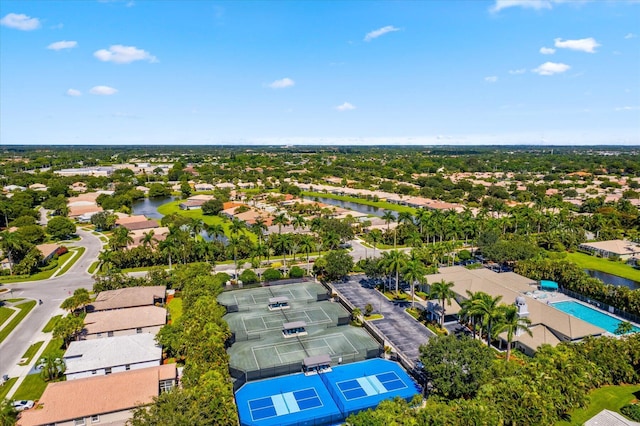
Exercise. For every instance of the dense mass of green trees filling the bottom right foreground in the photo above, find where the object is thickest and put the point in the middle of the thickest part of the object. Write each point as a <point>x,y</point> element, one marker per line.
<point>538,391</point>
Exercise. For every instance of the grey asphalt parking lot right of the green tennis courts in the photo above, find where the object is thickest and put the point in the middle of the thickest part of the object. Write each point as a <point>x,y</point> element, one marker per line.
<point>398,327</point>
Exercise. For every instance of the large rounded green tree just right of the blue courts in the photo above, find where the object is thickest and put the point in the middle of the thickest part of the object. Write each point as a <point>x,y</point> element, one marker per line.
<point>456,367</point>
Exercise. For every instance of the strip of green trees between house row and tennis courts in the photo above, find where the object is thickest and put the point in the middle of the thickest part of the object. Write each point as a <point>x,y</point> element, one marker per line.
<point>198,338</point>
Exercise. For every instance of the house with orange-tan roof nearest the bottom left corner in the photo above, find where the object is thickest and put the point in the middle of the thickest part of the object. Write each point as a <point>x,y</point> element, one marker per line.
<point>100,400</point>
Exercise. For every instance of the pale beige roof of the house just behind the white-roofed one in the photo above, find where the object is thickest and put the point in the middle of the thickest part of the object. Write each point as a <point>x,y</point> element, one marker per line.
<point>124,319</point>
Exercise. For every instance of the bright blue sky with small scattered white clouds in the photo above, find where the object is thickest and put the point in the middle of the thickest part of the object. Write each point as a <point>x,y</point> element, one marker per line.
<point>320,72</point>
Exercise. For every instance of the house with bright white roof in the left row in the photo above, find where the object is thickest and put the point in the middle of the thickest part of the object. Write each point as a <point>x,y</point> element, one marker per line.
<point>101,357</point>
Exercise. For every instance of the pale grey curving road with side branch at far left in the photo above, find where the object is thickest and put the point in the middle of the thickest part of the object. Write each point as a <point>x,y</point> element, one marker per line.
<point>52,292</point>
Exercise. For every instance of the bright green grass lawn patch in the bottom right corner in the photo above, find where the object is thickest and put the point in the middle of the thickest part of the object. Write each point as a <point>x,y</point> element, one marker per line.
<point>609,397</point>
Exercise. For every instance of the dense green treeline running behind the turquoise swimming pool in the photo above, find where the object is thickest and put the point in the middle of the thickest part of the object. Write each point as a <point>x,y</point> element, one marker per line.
<point>571,277</point>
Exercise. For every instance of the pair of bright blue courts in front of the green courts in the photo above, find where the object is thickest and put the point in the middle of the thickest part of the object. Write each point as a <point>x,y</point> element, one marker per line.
<point>326,398</point>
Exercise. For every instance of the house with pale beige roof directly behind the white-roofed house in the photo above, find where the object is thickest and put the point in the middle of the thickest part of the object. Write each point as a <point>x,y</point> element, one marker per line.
<point>124,322</point>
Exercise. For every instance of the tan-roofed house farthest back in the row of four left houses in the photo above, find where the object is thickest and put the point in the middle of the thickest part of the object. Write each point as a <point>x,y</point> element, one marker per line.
<point>128,298</point>
